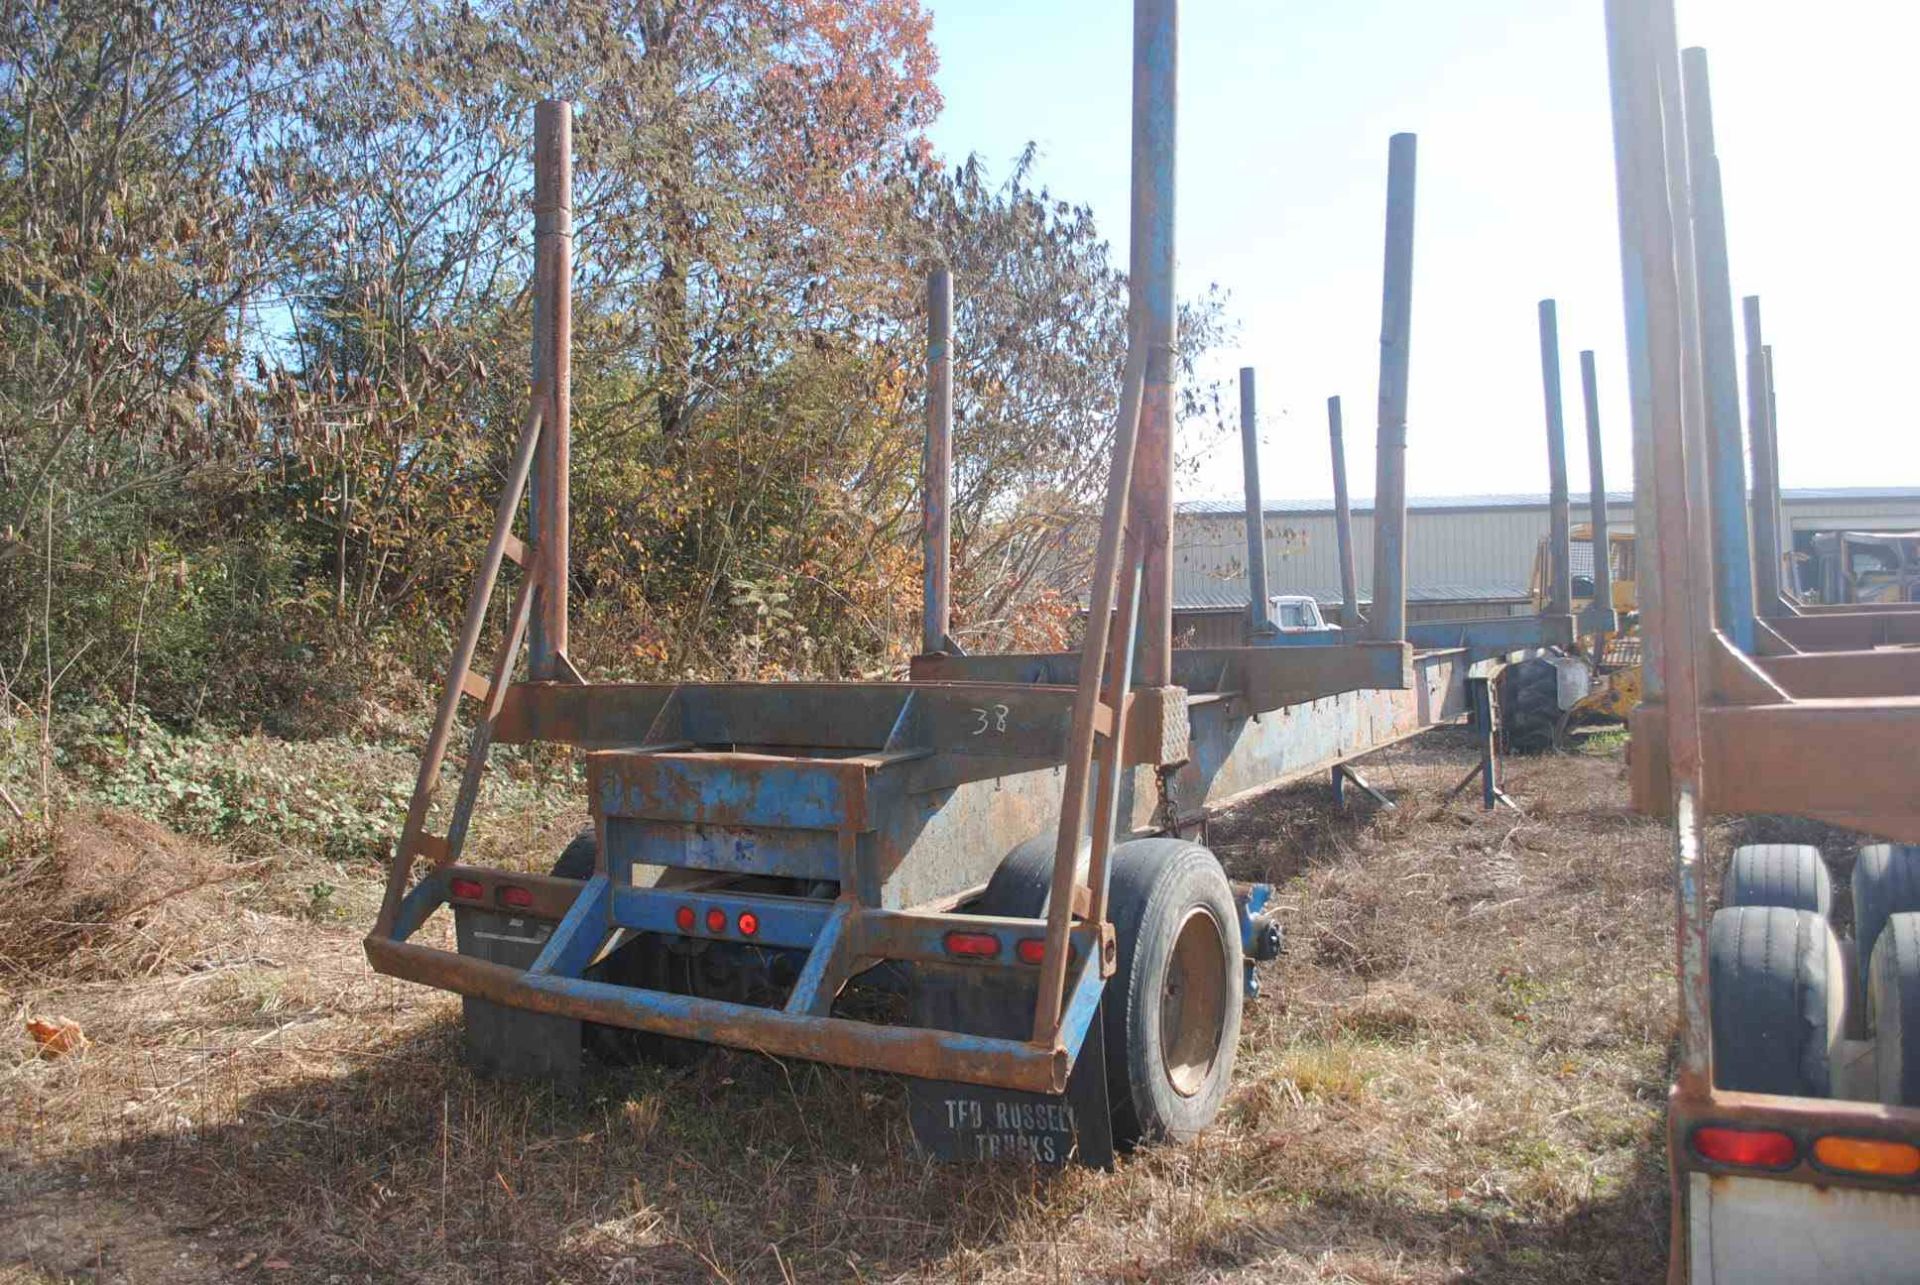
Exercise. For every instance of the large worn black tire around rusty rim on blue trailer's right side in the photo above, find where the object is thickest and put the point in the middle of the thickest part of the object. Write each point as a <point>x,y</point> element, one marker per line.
<point>1157,890</point>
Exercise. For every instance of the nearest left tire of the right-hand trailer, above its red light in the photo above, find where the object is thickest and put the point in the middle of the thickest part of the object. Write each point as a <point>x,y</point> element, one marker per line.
<point>1779,1002</point>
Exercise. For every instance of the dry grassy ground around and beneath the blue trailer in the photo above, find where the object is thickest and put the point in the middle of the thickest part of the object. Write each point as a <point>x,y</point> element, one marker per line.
<point>1454,1075</point>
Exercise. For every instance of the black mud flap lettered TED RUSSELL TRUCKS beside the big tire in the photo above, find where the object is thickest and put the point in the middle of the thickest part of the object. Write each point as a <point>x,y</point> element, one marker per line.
<point>972,1123</point>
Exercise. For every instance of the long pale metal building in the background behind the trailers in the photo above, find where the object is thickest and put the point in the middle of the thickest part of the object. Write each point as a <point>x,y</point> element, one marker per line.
<point>1468,556</point>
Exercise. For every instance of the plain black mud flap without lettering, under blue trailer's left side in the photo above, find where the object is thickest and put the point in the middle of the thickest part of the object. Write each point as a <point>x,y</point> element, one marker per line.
<point>514,1044</point>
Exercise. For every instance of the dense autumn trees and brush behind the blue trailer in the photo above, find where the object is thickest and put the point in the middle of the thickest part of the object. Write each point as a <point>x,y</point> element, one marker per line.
<point>266,324</point>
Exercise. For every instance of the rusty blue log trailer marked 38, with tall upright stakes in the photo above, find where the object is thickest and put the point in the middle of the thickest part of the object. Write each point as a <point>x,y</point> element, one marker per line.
<point>990,879</point>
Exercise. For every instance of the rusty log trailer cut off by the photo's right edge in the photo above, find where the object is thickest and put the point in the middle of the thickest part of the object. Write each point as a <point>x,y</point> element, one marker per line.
<point>1794,1115</point>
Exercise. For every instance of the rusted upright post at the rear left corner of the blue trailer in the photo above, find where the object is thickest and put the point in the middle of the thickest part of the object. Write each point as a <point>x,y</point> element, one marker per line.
<point>554,274</point>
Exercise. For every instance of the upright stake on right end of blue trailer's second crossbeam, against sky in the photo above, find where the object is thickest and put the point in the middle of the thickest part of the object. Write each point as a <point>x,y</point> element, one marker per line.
<point>1389,619</point>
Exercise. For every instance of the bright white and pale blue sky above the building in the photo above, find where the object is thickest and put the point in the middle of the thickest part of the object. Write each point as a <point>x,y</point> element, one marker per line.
<point>1284,124</point>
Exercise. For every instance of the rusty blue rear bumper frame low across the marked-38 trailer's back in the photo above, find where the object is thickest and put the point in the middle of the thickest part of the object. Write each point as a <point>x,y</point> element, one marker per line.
<point>556,986</point>
